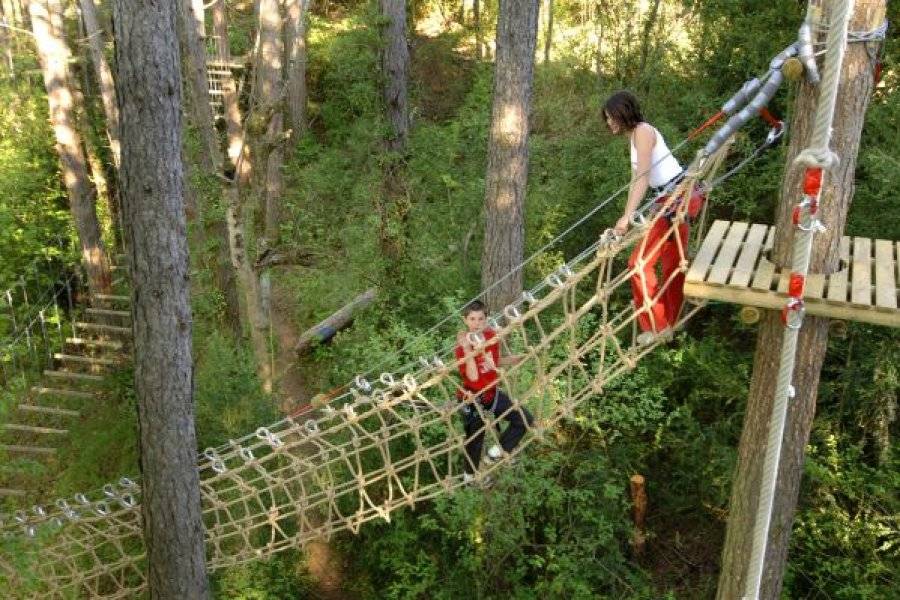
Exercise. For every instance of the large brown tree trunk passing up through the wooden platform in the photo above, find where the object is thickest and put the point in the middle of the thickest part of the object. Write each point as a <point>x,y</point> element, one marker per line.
<point>853,97</point>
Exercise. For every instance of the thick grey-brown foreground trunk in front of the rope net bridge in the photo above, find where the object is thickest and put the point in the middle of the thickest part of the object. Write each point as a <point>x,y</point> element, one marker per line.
<point>153,188</point>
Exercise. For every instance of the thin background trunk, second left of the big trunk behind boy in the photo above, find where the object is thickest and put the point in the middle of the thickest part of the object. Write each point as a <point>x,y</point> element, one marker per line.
<point>295,42</point>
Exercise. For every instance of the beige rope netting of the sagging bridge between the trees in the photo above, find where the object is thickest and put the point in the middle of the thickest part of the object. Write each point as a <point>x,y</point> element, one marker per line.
<point>390,445</point>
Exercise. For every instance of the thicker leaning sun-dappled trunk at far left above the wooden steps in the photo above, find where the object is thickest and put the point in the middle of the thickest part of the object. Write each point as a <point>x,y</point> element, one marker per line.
<point>54,57</point>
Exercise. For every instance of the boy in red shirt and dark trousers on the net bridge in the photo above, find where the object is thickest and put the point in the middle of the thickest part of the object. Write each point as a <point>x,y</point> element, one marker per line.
<point>478,368</point>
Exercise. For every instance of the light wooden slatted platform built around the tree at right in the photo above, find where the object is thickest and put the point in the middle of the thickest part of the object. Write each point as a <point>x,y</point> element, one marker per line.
<point>731,266</point>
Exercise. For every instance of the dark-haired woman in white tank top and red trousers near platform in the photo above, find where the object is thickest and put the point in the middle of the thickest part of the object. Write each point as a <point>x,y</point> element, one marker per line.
<point>653,167</point>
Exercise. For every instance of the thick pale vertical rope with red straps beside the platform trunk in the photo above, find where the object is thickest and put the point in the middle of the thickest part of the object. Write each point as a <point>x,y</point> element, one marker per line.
<point>817,156</point>
